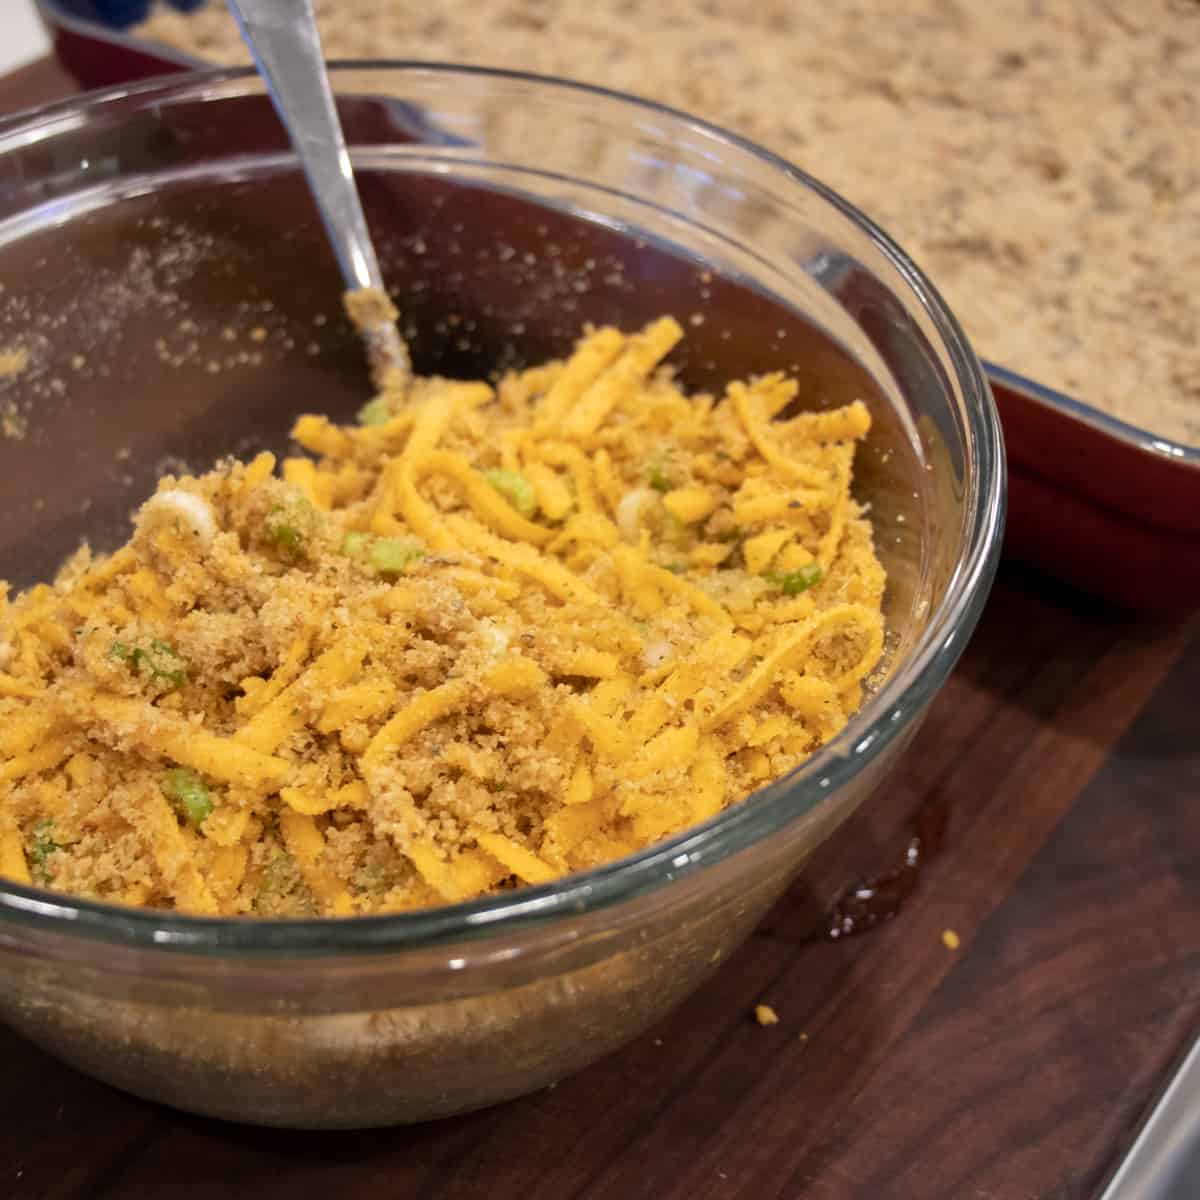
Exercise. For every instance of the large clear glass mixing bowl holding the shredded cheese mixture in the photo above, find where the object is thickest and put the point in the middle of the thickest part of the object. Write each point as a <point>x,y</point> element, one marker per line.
<point>167,278</point>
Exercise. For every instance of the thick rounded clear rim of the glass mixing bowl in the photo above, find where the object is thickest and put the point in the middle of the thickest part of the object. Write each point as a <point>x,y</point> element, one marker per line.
<point>884,718</point>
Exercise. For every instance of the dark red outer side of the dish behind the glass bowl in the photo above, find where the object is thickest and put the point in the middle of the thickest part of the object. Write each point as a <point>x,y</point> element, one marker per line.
<point>1103,506</point>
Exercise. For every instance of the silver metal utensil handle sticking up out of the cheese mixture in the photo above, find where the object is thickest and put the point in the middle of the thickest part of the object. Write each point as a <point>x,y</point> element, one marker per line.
<point>283,37</point>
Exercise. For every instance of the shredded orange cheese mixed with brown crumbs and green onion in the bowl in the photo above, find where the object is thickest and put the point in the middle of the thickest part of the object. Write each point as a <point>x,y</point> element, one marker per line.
<point>490,638</point>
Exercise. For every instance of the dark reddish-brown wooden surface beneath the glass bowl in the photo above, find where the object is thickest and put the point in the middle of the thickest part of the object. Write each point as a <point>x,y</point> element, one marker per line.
<point>1065,755</point>
